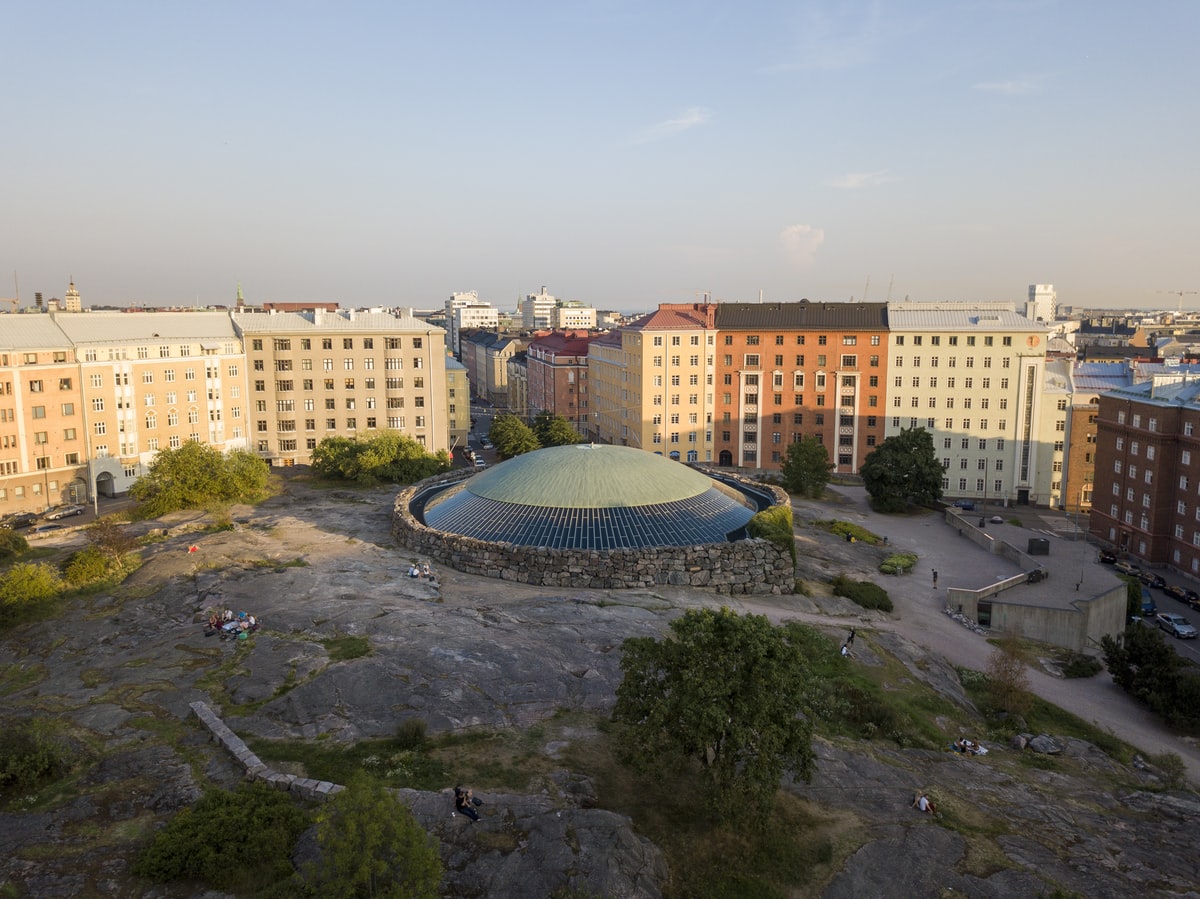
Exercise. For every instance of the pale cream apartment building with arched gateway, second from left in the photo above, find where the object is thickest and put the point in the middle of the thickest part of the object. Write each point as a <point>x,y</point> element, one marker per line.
<point>153,381</point>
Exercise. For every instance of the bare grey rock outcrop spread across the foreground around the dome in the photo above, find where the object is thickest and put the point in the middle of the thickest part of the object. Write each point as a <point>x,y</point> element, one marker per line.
<point>466,651</point>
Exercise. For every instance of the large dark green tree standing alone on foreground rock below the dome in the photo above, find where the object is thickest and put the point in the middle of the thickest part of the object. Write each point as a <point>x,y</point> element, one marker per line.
<point>724,692</point>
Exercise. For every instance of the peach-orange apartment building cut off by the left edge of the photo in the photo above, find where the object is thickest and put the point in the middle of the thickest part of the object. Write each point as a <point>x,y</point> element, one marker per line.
<point>43,435</point>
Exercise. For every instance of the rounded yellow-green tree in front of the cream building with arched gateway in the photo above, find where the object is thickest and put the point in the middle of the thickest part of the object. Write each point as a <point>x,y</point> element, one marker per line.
<point>199,476</point>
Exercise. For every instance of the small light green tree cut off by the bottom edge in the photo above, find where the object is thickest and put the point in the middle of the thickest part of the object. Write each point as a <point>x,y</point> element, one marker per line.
<point>373,847</point>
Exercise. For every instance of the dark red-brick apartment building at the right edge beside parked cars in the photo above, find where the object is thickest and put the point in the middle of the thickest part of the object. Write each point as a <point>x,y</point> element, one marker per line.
<point>1148,472</point>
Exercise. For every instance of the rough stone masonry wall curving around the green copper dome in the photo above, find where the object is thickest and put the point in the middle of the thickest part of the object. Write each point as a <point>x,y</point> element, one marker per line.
<point>742,567</point>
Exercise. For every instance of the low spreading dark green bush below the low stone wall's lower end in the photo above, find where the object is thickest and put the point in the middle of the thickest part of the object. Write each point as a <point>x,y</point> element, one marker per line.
<point>227,841</point>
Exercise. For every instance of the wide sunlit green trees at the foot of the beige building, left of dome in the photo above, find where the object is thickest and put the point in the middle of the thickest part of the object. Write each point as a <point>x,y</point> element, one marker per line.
<point>385,458</point>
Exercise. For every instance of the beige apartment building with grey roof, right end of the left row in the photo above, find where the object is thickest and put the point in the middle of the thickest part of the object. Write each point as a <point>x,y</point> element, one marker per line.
<point>315,375</point>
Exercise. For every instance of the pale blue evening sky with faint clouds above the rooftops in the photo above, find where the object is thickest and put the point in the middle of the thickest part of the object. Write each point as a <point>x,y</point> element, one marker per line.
<point>622,154</point>
